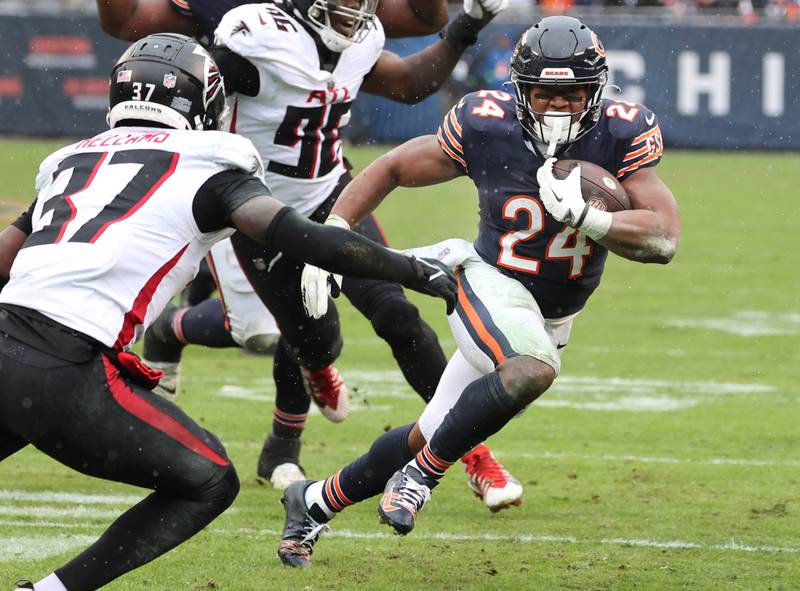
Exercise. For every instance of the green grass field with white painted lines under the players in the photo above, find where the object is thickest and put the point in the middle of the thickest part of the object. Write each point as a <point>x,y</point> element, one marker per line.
<point>665,457</point>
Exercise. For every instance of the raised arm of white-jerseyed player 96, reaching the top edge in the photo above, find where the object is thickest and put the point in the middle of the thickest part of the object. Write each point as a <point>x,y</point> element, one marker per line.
<point>415,77</point>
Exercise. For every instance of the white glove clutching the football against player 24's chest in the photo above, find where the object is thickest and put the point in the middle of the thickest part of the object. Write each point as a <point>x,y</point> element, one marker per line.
<point>564,201</point>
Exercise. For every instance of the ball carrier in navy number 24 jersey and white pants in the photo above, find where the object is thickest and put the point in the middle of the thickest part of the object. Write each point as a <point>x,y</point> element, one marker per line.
<point>538,257</point>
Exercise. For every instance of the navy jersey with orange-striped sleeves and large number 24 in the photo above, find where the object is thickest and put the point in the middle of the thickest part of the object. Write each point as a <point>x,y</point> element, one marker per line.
<point>560,266</point>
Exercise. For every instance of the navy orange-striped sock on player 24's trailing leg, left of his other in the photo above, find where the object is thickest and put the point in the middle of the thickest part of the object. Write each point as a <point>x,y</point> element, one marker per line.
<point>367,476</point>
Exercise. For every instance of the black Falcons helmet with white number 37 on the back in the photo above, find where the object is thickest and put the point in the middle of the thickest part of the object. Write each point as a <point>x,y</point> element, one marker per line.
<point>168,79</point>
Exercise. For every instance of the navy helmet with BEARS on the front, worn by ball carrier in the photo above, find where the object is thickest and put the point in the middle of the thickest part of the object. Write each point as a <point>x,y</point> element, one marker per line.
<point>558,50</point>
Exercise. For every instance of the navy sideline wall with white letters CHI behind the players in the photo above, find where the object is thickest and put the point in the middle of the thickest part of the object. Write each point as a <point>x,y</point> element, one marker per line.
<point>712,87</point>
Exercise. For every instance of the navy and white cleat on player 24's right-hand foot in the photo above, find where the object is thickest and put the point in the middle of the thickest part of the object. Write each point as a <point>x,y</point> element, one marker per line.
<point>404,496</point>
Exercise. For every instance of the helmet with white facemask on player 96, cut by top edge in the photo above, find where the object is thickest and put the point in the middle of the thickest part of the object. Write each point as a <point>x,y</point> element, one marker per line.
<point>317,15</point>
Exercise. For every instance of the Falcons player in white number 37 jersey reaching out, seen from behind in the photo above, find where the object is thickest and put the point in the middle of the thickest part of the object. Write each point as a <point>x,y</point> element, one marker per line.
<point>120,224</point>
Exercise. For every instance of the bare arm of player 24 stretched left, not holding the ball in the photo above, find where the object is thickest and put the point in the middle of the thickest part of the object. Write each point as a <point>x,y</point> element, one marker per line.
<point>417,163</point>
